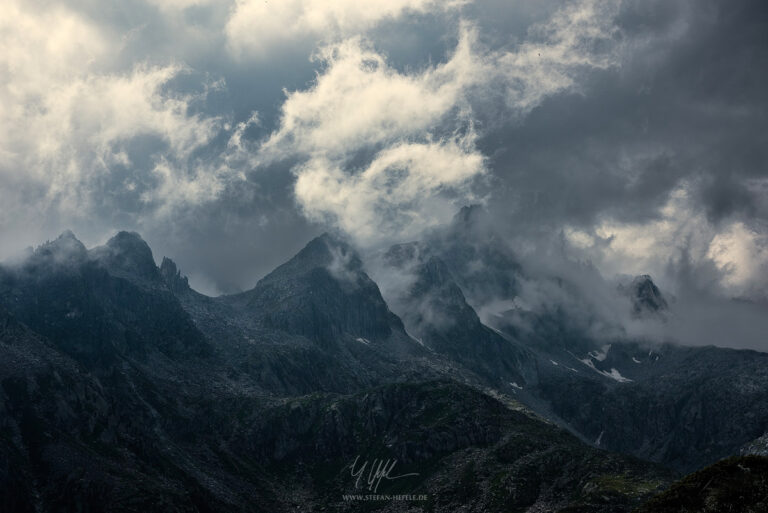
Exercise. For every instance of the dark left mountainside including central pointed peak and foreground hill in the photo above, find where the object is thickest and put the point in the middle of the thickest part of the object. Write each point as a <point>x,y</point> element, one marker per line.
<point>153,425</point>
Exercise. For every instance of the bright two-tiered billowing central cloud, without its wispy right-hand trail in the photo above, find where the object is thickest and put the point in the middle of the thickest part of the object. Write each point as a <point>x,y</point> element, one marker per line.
<point>360,105</point>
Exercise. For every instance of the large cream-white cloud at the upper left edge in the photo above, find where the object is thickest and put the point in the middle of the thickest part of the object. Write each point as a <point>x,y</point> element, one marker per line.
<point>68,121</point>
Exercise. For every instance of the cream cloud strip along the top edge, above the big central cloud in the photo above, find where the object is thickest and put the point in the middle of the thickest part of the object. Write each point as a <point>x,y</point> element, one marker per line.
<point>257,26</point>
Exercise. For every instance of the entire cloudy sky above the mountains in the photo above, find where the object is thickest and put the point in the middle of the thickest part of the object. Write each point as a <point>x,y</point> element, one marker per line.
<point>631,134</point>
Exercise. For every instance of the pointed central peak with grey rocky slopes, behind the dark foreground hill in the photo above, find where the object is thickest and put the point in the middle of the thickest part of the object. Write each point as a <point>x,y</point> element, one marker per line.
<point>316,323</point>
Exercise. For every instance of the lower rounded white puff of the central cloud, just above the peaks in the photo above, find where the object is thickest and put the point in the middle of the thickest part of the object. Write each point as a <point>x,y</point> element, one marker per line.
<point>404,190</point>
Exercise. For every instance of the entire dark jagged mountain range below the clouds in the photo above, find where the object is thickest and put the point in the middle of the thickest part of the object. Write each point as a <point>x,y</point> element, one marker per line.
<point>123,389</point>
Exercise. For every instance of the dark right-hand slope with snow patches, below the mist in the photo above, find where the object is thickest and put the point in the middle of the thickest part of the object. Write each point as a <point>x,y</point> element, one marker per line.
<point>684,407</point>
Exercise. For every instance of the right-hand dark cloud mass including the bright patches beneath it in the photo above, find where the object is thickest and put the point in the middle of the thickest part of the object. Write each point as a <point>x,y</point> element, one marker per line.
<point>661,158</point>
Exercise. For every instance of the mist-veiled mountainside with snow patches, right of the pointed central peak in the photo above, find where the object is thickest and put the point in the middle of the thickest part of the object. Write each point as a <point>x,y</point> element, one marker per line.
<point>681,406</point>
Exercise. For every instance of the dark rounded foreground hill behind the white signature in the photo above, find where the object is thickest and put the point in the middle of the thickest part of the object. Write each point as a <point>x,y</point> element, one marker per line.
<point>465,449</point>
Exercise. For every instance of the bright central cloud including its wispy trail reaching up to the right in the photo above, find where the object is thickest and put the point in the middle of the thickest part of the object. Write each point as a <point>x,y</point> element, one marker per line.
<point>389,153</point>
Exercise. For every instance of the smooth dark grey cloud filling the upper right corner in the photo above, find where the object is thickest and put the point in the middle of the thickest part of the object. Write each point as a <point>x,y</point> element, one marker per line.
<point>692,109</point>
